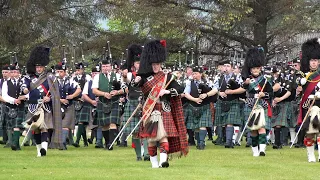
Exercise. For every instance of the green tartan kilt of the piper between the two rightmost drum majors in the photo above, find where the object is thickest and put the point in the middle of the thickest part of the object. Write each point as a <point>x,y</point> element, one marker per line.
<point>281,118</point>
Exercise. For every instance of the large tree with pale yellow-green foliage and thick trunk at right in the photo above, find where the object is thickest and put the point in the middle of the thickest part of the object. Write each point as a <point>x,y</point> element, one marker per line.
<point>226,24</point>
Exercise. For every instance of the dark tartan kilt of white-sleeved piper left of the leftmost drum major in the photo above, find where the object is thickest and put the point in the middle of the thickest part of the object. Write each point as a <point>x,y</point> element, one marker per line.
<point>14,122</point>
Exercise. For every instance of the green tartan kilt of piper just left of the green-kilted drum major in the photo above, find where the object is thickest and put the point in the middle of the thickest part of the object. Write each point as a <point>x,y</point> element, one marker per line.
<point>233,116</point>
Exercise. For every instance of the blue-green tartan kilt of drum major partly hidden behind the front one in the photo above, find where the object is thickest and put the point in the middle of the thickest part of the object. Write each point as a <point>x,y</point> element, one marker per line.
<point>130,106</point>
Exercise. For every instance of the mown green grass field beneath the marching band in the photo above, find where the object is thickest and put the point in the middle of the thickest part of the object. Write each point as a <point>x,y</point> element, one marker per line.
<point>215,162</point>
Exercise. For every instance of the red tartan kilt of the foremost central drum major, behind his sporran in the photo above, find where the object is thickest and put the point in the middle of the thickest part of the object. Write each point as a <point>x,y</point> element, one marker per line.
<point>168,124</point>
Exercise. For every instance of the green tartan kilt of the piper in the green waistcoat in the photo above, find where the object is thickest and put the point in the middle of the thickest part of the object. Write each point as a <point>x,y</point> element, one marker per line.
<point>104,119</point>
